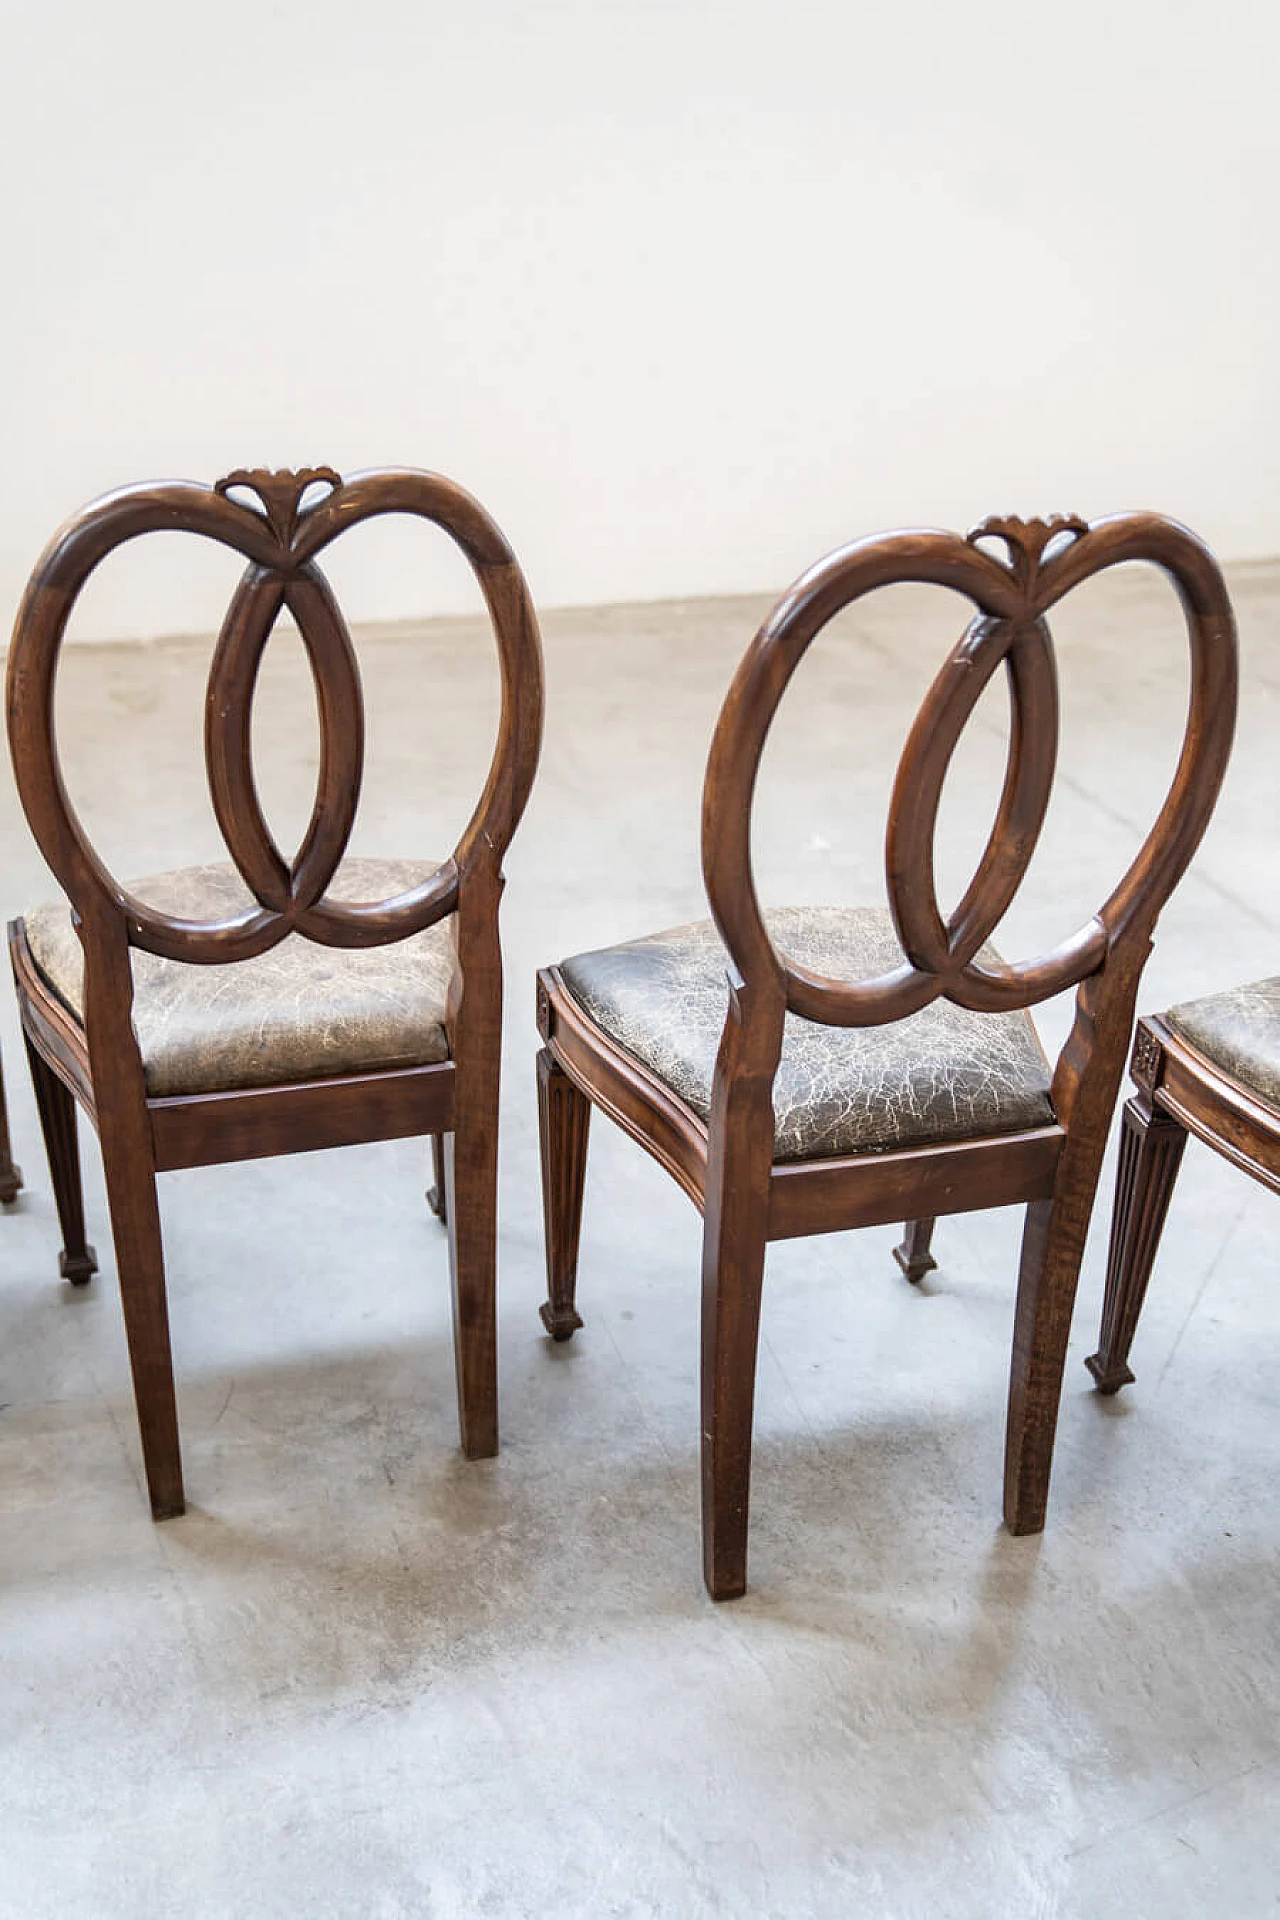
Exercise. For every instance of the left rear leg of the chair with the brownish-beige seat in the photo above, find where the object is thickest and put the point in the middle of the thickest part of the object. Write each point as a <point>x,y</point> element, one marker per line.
<point>141,1266</point>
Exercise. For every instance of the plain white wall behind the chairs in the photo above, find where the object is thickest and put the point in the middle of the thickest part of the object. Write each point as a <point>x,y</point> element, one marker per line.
<point>688,293</point>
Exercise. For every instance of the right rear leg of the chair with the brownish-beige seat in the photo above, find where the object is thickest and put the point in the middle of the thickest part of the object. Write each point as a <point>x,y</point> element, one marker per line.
<point>471,1212</point>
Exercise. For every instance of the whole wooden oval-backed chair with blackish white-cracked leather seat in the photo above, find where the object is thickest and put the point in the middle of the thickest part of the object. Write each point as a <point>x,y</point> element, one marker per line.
<point>861,1067</point>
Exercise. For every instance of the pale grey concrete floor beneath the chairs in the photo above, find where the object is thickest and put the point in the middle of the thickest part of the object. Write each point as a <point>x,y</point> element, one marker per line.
<point>364,1677</point>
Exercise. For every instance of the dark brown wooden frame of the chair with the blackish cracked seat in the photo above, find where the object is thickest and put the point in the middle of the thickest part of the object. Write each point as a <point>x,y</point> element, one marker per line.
<point>728,1166</point>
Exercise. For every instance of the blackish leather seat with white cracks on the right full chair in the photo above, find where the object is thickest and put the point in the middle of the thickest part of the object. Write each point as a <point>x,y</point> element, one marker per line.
<point>945,1074</point>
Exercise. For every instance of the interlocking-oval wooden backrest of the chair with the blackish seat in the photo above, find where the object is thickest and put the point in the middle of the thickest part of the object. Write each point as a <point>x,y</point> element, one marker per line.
<point>1012,600</point>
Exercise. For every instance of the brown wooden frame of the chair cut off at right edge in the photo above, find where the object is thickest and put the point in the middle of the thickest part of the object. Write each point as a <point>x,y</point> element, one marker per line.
<point>1179,1093</point>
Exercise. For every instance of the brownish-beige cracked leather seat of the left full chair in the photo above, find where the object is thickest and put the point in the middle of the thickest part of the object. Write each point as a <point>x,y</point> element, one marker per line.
<point>291,1015</point>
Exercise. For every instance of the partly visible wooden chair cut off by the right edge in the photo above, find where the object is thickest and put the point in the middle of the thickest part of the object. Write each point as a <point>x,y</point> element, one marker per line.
<point>1210,1068</point>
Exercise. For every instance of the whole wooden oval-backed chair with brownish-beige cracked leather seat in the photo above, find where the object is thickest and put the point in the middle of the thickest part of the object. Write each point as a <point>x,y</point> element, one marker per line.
<point>366,1005</point>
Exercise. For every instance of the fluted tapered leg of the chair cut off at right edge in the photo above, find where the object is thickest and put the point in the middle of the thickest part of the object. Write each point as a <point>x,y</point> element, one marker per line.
<point>1150,1159</point>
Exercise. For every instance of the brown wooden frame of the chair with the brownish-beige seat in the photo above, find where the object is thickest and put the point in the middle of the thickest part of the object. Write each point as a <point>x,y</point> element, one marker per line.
<point>262,516</point>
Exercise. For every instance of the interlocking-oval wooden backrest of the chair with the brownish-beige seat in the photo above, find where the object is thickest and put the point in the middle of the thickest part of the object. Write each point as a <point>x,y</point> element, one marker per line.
<point>281,539</point>
